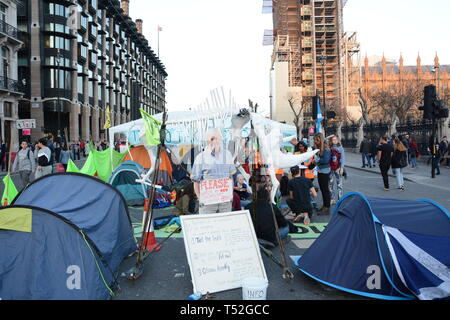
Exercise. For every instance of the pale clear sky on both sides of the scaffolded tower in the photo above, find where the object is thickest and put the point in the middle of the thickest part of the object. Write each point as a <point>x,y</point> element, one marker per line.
<point>208,44</point>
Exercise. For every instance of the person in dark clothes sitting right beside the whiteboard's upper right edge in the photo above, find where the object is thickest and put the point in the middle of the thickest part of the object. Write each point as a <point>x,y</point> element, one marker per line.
<point>263,220</point>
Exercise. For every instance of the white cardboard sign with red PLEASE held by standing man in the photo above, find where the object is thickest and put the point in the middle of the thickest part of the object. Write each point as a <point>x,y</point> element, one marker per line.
<point>216,191</point>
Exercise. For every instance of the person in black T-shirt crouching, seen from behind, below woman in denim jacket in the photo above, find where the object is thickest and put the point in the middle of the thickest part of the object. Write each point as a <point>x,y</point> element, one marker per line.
<point>300,191</point>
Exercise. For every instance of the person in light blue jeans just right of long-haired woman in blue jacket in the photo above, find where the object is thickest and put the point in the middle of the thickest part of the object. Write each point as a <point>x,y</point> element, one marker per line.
<point>337,166</point>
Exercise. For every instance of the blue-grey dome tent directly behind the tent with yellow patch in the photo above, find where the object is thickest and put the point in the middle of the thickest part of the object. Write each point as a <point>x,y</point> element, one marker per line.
<point>91,205</point>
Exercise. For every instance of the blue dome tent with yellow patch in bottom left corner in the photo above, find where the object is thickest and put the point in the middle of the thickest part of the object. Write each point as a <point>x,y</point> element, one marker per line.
<point>44,256</point>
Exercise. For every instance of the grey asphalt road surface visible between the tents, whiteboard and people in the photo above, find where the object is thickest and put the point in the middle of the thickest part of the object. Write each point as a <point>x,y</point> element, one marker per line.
<point>167,276</point>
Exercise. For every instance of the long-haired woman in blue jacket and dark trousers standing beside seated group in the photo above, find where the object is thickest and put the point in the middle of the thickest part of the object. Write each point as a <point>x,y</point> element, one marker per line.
<point>322,160</point>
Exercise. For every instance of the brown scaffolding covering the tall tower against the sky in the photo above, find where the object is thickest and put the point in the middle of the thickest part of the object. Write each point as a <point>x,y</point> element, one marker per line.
<point>307,30</point>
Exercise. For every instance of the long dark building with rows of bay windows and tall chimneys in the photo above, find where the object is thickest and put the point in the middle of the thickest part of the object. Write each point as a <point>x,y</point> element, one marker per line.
<point>81,57</point>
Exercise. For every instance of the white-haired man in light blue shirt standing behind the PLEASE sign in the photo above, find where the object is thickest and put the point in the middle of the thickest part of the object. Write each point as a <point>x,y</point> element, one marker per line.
<point>215,162</point>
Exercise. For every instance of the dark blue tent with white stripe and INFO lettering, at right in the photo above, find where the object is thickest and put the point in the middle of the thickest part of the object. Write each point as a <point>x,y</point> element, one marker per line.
<point>384,249</point>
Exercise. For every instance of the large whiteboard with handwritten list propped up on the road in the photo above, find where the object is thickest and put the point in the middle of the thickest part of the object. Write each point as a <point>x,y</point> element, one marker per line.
<point>222,250</point>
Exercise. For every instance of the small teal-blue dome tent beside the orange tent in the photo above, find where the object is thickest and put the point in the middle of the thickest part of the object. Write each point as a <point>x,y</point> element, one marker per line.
<point>124,179</point>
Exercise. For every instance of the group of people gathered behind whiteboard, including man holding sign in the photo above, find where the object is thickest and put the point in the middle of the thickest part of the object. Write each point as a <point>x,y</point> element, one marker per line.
<point>297,185</point>
